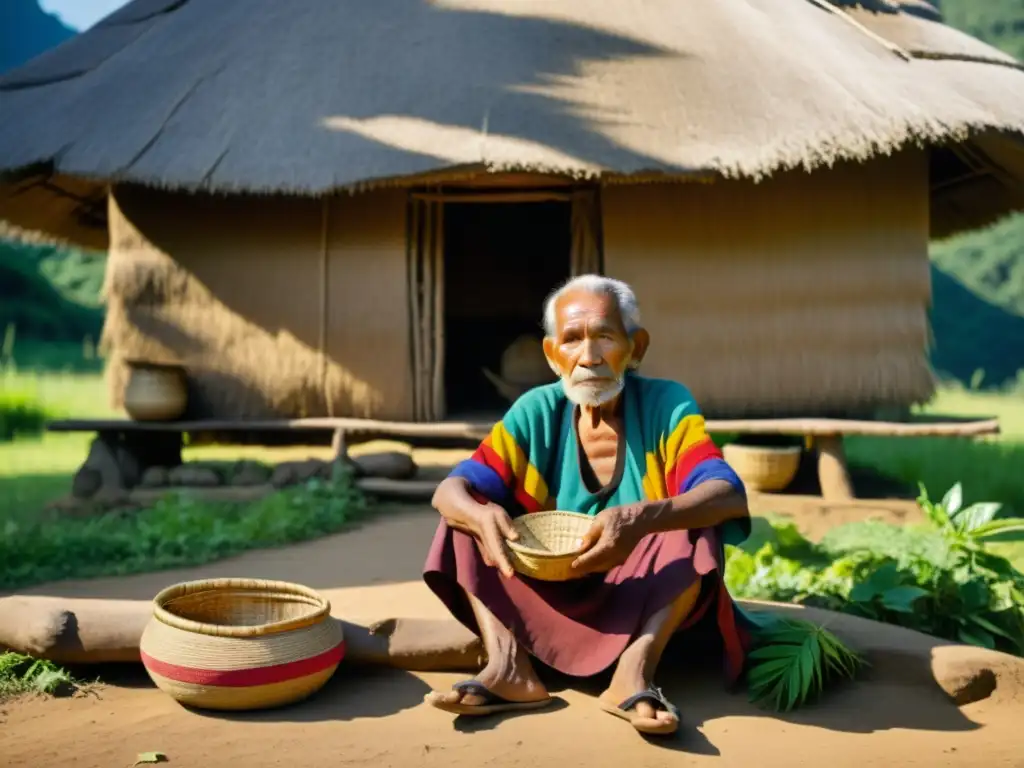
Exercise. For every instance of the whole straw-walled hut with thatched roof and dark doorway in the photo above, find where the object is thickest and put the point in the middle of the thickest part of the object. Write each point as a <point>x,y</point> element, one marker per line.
<point>321,206</point>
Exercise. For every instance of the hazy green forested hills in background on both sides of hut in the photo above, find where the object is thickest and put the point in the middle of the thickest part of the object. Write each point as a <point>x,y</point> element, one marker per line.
<point>52,313</point>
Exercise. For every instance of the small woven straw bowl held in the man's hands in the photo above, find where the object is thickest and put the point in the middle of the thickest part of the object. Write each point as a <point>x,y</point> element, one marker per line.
<point>549,542</point>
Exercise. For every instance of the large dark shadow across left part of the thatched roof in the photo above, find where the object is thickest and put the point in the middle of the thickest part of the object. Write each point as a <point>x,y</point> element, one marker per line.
<point>243,96</point>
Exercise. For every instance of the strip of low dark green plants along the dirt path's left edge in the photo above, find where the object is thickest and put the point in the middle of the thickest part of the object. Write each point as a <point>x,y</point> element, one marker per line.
<point>179,531</point>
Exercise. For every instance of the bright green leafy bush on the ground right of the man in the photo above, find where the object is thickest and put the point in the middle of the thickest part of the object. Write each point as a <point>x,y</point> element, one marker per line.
<point>940,579</point>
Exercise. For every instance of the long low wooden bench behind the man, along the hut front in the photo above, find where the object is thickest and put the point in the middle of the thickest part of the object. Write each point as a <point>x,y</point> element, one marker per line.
<point>826,436</point>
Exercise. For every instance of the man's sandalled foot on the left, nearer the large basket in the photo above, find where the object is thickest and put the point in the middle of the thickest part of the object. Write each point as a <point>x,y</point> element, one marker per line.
<point>505,685</point>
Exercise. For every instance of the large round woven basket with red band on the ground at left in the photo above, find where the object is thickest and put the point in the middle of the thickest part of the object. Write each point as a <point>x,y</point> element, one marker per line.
<point>241,644</point>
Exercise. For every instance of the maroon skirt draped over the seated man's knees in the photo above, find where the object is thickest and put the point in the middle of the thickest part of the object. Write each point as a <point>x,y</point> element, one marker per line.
<point>581,627</point>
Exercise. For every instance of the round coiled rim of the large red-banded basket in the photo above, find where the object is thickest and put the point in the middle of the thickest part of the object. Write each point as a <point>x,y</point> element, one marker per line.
<point>318,614</point>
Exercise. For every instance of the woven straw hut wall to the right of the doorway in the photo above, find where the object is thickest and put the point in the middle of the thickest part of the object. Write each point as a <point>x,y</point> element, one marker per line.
<point>804,294</point>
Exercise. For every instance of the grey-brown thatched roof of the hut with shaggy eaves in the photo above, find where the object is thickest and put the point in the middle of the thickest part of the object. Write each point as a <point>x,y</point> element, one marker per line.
<point>309,97</point>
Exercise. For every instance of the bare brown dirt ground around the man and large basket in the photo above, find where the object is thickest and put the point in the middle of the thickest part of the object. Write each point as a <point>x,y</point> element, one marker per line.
<point>898,716</point>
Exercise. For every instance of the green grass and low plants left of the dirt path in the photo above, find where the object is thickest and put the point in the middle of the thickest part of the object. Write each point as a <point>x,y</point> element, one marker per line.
<point>178,532</point>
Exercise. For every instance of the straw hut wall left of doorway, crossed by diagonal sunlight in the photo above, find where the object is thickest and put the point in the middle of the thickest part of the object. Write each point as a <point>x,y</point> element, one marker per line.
<point>248,292</point>
